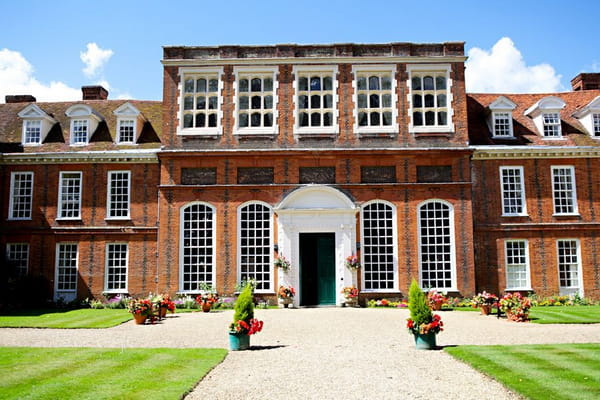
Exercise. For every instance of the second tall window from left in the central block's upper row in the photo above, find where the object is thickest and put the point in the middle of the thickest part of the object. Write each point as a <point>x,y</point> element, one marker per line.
<point>256,100</point>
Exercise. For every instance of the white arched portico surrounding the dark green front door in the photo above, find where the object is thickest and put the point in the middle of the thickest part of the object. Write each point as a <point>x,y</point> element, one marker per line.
<point>317,231</point>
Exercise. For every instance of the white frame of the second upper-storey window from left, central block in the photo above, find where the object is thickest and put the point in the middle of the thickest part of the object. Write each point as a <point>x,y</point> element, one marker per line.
<point>247,73</point>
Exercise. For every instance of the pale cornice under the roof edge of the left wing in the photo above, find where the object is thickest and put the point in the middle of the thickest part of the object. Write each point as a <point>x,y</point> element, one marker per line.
<point>82,157</point>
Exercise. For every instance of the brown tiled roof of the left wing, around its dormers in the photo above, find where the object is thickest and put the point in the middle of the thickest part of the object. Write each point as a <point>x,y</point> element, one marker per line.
<point>11,126</point>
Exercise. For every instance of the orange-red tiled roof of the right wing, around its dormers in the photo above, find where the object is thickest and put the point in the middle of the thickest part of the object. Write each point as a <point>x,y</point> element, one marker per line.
<point>524,128</point>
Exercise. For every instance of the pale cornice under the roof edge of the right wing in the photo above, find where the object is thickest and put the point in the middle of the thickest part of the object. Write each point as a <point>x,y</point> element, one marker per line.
<point>522,152</point>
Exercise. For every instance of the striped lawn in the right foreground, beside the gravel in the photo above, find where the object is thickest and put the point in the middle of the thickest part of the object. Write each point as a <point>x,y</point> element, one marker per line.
<point>561,371</point>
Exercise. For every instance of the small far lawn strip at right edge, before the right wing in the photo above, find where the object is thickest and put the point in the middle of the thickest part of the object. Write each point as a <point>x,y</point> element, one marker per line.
<point>565,315</point>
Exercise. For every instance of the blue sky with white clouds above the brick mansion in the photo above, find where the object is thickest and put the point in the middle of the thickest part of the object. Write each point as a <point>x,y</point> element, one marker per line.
<point>54,48</point>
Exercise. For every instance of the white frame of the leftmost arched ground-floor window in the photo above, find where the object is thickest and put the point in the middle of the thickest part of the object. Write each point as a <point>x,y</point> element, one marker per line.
<point>211,248</point>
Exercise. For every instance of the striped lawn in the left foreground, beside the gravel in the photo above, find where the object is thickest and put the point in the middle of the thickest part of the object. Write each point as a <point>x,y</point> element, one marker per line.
<point>96,373</point>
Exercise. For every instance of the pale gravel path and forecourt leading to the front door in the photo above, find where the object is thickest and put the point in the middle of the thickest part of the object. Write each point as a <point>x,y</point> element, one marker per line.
<point>324,353</point>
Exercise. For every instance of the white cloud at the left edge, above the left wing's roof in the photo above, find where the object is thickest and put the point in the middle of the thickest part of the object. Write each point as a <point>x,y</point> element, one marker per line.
<point>16,77</point>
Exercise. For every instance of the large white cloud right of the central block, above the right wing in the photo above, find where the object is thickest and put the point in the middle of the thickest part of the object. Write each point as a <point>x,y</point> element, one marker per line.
<point>503,70</point>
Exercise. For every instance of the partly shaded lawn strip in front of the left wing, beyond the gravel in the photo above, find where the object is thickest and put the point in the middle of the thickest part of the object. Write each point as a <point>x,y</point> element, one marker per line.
<point>83,318</point>
